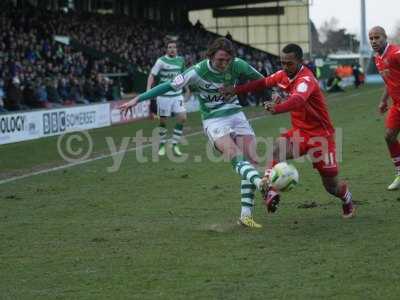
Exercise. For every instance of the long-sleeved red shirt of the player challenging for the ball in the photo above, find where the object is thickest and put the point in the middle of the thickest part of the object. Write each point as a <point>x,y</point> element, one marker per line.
<point>312,116</point>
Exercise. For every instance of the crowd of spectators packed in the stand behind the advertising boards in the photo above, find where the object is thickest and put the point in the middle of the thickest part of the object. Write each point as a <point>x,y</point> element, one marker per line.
<point>36,71</point>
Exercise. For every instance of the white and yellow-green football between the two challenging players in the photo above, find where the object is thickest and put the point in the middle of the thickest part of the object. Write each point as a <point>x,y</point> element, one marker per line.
<point>284,177</point>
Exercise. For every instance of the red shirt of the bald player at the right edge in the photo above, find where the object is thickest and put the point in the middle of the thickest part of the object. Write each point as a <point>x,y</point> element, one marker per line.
<point>388,65</point>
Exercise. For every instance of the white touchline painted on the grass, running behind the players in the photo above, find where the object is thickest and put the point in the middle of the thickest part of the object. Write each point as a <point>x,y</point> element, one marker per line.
<point>70,165</point>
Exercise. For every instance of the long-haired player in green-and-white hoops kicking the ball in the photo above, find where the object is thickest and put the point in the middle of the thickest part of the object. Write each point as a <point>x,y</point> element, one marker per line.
<point>224,123</point>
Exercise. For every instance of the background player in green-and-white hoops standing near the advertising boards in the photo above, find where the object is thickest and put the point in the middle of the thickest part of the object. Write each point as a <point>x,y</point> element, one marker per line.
<point>165,69</point>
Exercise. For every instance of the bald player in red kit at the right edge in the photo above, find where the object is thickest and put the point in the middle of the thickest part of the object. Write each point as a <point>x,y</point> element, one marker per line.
<point>387,60</point>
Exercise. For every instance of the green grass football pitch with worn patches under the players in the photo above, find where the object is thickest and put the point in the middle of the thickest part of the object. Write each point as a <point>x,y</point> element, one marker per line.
<point>167,230</point>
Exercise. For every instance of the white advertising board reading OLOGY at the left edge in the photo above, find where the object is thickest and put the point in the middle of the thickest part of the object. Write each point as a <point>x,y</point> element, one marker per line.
<point>18,127</point>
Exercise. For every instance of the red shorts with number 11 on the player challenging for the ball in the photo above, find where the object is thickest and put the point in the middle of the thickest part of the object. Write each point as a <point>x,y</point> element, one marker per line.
<point>321,150</point>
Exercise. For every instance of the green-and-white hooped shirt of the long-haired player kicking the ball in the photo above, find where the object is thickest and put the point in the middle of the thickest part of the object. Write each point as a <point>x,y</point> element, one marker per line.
<point>206,81</point>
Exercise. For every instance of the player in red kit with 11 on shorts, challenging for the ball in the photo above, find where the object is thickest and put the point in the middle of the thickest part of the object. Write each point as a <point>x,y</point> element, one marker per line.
<point>312,132</point>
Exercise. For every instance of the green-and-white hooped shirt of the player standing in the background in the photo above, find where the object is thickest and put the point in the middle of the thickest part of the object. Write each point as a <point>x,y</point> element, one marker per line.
<point>167,68</point>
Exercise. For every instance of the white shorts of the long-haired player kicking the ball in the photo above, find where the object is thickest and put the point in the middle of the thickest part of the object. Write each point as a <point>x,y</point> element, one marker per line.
<point>233,125</point>
